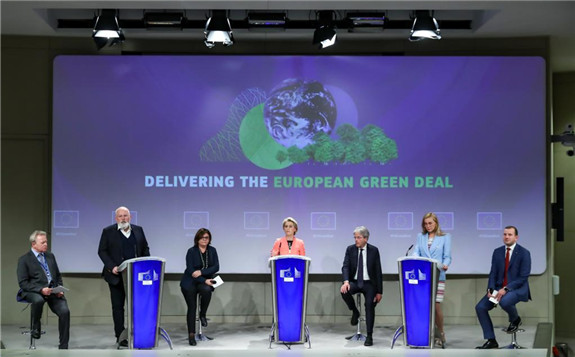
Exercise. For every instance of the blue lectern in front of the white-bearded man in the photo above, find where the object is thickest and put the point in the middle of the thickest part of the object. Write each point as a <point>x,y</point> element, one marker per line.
<point>143,279</point>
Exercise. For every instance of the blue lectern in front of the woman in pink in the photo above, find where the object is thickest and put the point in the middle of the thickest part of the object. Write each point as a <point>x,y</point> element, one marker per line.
<point>289,295</point>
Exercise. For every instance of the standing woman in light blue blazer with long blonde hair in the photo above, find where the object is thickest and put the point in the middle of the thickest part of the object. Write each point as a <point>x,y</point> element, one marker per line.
<point>433,243</point>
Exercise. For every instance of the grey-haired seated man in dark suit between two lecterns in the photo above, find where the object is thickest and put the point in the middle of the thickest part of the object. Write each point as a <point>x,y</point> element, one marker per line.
<point>361,272</point>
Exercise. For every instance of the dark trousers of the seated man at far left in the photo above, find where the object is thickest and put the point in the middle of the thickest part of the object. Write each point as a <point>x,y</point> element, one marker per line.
<point>58,305</point>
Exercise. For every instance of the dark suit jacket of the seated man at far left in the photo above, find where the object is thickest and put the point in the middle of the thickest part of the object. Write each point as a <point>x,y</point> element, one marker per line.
<point>31,275</point>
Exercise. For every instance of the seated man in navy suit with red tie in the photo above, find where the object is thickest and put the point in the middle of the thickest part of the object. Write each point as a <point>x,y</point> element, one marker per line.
<point>508,281</point>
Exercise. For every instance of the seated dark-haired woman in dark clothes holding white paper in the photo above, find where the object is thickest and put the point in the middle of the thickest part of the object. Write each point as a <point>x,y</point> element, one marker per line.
<point>201,266</point>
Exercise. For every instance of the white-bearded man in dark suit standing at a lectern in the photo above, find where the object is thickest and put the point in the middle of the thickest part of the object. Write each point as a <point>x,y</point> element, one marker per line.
<point>119,242</point>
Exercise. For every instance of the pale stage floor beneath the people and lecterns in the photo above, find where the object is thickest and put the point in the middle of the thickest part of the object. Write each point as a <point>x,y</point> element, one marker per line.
<point>252,340</point>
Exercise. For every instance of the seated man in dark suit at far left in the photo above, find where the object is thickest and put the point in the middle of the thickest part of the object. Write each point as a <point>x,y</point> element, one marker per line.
<point>38,274</point>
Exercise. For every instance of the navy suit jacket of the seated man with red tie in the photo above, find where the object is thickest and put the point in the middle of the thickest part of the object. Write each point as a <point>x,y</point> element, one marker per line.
<point>517,273</point>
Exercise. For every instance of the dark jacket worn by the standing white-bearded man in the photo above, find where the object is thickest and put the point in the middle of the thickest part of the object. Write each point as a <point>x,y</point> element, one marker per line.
<point>110,249</point>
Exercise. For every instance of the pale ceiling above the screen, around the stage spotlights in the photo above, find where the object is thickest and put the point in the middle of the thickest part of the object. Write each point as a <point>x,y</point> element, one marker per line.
<point>491,19</point>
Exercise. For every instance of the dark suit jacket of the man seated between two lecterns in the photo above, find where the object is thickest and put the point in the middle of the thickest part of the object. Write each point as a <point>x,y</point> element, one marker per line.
<point>373,265</point>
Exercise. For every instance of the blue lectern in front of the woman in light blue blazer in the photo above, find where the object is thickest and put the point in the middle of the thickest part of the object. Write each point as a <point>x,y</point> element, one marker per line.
<point>418,286</point>
